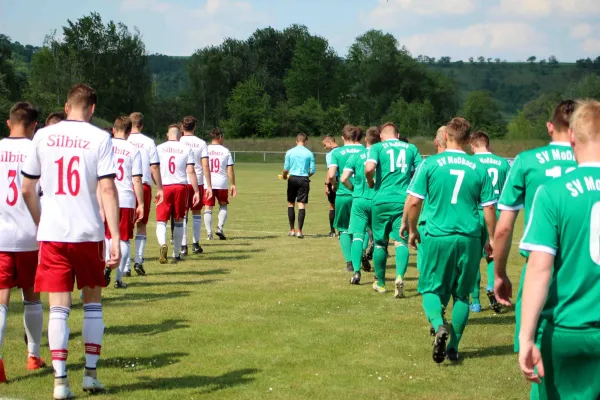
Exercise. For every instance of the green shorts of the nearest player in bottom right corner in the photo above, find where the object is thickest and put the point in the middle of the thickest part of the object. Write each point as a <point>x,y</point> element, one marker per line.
<point>571,363</point>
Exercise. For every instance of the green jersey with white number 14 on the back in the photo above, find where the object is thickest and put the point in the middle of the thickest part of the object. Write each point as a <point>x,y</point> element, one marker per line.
<point>395,160</point>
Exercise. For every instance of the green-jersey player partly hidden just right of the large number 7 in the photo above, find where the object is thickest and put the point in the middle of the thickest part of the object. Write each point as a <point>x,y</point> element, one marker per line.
<point>497,169</point>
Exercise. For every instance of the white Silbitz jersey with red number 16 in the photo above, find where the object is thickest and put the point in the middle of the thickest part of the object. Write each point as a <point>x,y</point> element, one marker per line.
<point>70,158</point>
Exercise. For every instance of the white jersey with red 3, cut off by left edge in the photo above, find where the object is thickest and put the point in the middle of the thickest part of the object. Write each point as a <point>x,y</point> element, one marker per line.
<point>17,229</point>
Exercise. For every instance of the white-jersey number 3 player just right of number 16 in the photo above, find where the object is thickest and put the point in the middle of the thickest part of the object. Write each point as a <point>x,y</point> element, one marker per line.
<point>129,186</point>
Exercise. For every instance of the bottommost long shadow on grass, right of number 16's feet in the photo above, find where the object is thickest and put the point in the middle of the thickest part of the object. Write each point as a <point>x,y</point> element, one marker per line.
<point>206,384</point>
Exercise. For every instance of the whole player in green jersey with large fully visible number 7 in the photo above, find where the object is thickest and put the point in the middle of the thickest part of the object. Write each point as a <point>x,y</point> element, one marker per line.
<point>455,185</point>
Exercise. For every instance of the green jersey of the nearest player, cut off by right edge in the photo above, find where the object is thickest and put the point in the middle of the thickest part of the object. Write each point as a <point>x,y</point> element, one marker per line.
<point>565,222</point>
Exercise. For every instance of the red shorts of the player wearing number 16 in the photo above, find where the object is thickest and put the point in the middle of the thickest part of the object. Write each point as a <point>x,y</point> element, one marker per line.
<point>60,263</point>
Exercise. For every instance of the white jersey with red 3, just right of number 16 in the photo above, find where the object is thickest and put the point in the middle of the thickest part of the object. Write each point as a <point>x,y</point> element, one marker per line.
<point>128,162</point>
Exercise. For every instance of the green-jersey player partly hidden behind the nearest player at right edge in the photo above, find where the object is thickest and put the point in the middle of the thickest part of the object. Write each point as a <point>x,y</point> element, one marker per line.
<point>531,169</point>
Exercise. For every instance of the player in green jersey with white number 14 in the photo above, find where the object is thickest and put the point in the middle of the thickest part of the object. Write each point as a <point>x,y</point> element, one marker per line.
<point>388,169</point>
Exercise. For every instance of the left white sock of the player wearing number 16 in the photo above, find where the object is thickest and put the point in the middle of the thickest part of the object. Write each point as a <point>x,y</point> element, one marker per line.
<point>58,339</point>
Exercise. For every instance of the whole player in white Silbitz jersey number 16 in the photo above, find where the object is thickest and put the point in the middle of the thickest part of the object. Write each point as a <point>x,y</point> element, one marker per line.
<point>73,158</point>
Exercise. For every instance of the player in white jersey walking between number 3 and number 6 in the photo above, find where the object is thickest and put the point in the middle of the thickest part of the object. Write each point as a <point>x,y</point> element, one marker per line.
<point>151,172</point>
